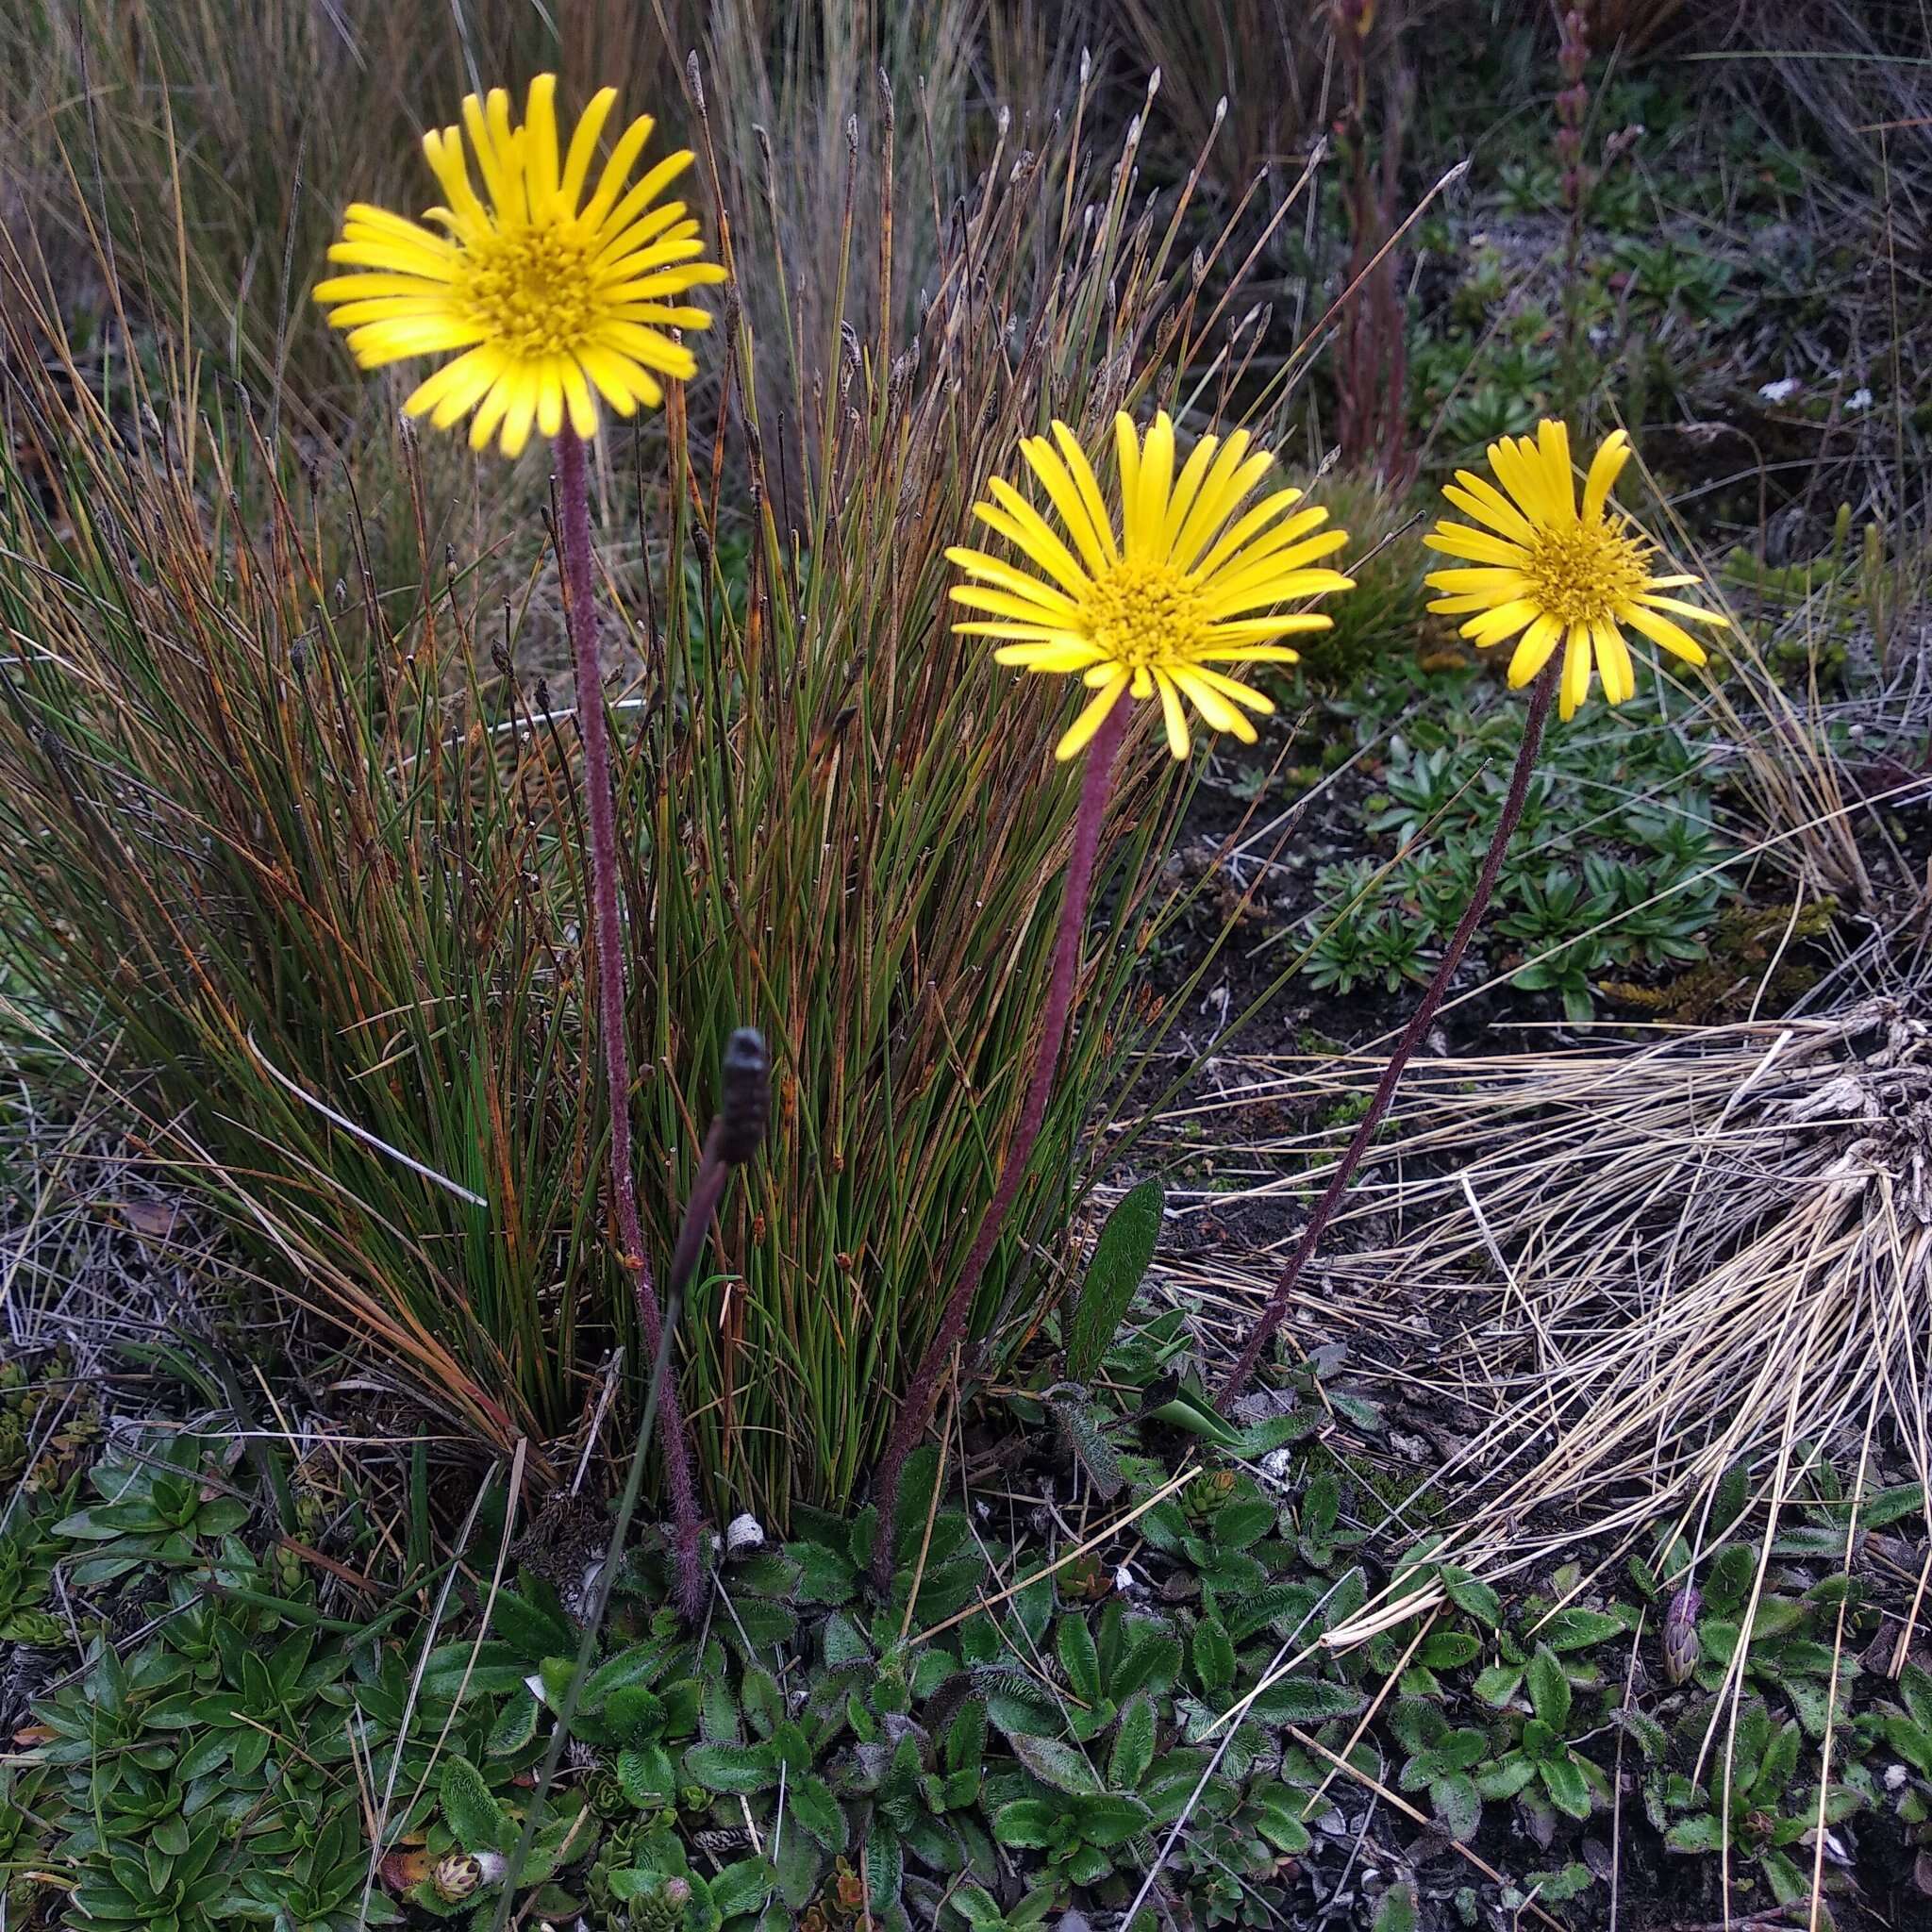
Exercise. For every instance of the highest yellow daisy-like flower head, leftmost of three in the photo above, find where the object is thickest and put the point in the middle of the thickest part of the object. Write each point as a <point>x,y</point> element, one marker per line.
<point>552,297</point>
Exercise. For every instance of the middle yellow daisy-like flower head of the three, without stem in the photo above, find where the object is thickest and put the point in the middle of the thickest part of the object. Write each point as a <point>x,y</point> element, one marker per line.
<point>1193,581</point>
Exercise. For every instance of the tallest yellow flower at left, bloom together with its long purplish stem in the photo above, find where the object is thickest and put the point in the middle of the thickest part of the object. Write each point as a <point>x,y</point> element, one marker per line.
<point>552,300</point>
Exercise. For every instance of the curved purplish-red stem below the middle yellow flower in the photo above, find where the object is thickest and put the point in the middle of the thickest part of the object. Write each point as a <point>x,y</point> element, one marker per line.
<point>917,1409</point>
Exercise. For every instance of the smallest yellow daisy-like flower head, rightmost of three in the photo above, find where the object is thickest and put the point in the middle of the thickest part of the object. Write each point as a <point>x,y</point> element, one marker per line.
<point>1556,573</point>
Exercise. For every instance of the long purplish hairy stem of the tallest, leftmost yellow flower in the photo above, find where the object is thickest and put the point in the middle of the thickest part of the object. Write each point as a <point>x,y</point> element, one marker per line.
<point>608,942</point>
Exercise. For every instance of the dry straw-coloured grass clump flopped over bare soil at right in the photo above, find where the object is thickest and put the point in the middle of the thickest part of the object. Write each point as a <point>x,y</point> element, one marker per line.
<point>1695,1255</point>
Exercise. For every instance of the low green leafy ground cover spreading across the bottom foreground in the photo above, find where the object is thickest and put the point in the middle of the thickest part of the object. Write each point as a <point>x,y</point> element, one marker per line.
<point>1002,1738</point>
